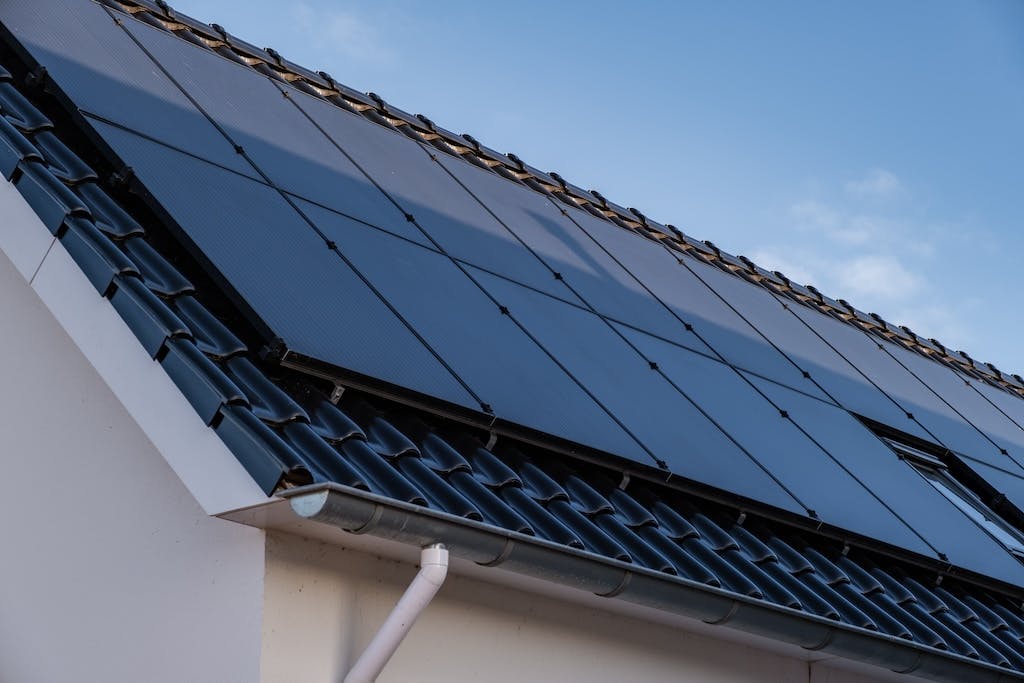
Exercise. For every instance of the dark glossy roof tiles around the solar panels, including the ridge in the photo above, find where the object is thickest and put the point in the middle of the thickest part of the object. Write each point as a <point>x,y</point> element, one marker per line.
<point>290,429</point>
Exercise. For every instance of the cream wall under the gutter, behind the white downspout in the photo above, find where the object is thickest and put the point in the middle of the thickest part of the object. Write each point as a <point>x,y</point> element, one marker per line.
<point>325,603</point>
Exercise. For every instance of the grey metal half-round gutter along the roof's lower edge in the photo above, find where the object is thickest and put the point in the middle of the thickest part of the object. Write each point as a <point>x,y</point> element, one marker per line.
<point>361,513</point>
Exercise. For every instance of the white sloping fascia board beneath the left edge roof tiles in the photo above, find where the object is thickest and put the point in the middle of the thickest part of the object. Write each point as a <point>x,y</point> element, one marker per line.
<point>197,455</point>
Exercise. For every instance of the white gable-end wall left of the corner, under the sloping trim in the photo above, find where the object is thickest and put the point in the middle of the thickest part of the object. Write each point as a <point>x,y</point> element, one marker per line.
<point>110,571</point>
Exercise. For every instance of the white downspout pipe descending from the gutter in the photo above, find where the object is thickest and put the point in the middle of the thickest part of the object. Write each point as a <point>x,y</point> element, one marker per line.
<point>434,569</point>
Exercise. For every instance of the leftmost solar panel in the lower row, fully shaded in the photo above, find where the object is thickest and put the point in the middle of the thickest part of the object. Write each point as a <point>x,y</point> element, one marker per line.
<point>275,262</point>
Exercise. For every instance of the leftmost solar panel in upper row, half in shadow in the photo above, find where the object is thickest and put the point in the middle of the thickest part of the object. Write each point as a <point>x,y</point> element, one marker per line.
<point>106,74</point>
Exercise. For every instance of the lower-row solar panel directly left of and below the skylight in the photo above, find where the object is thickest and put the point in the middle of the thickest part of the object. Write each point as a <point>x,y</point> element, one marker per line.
<point>904,491</point>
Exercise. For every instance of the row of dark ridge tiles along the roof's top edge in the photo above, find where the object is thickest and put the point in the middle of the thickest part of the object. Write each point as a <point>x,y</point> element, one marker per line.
<point>372,107</point>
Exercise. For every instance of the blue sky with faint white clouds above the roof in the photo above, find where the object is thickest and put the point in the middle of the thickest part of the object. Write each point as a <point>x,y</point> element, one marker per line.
<point>873,149</point>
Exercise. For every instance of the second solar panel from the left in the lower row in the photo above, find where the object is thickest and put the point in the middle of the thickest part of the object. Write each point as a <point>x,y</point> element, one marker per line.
<point>484,347</point>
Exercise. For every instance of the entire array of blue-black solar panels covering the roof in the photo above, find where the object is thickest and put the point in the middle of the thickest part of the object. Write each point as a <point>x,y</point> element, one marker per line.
<point>372,253</point>
